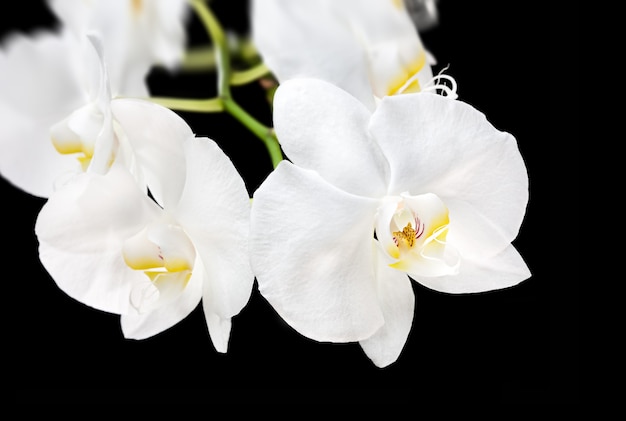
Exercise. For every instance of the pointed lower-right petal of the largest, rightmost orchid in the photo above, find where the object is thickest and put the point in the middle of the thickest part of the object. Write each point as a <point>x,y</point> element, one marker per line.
<point>501,271</point>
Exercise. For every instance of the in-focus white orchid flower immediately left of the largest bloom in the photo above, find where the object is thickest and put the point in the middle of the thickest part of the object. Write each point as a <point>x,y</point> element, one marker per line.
<point>108,245</point>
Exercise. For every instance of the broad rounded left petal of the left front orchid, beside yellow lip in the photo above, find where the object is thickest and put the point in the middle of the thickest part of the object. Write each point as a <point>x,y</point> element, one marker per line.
<point>81,230</point>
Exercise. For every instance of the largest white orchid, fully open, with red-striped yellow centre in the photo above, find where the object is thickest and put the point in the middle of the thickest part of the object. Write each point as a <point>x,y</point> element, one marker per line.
<point>423,186</point>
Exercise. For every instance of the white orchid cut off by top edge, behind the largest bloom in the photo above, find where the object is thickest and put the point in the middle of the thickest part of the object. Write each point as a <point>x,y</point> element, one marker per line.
<point>370,48</point>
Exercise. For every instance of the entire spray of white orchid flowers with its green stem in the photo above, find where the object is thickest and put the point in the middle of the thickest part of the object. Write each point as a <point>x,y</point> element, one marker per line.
<point>381,176</point>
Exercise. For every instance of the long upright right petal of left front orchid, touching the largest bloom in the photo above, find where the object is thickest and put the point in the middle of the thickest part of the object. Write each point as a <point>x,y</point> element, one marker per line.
<point>214,209</point>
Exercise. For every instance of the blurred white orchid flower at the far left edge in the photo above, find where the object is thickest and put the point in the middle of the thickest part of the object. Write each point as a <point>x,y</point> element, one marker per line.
<point>59,122</point>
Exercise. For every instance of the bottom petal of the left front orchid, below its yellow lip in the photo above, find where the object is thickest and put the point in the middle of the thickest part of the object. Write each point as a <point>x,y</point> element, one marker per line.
<point>142,326</point>
